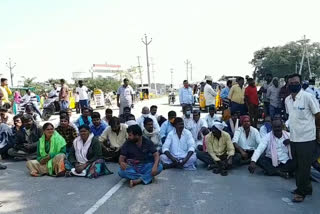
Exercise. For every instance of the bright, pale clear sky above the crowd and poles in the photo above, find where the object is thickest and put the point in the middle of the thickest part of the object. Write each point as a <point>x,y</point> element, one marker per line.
<point>52,39</point>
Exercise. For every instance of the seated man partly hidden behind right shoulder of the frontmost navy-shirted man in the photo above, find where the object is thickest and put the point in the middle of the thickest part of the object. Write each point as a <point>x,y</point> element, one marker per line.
<point>151,133</point>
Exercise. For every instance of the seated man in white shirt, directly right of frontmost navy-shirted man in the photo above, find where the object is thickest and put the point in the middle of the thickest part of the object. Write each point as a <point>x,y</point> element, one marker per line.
<point>179,148</point>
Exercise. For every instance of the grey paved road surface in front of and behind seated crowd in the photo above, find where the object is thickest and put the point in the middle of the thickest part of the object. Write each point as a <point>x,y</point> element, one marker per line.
<point>174,191</point>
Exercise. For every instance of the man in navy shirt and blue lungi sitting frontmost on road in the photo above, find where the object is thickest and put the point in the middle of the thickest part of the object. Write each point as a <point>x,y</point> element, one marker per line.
<point>139,160</point>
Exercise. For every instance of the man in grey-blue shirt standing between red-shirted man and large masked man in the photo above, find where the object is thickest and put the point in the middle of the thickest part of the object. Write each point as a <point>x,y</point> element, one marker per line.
<point>274,98</point>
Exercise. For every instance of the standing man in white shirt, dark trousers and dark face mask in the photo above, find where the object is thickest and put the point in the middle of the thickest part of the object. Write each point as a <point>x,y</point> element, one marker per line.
<point>304,122</point>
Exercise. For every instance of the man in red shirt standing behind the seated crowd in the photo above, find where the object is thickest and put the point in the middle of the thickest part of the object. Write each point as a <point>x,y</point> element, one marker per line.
<point>251,97</point>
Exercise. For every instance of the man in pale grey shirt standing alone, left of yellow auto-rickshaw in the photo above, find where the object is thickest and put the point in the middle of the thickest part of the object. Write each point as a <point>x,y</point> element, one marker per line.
<point>125,96</point>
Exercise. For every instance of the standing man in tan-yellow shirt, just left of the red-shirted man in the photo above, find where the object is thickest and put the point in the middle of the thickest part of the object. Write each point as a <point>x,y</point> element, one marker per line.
<point>236,95</point>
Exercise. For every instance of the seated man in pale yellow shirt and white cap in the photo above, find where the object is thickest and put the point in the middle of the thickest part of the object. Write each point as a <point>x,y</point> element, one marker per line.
<point>220,150</point>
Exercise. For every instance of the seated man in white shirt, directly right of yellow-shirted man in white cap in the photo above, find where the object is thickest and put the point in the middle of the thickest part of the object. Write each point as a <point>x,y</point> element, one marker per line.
<point>246,139</point>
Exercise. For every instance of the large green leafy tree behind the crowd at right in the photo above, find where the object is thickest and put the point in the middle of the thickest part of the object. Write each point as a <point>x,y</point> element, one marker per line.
<point>284,60</point>
